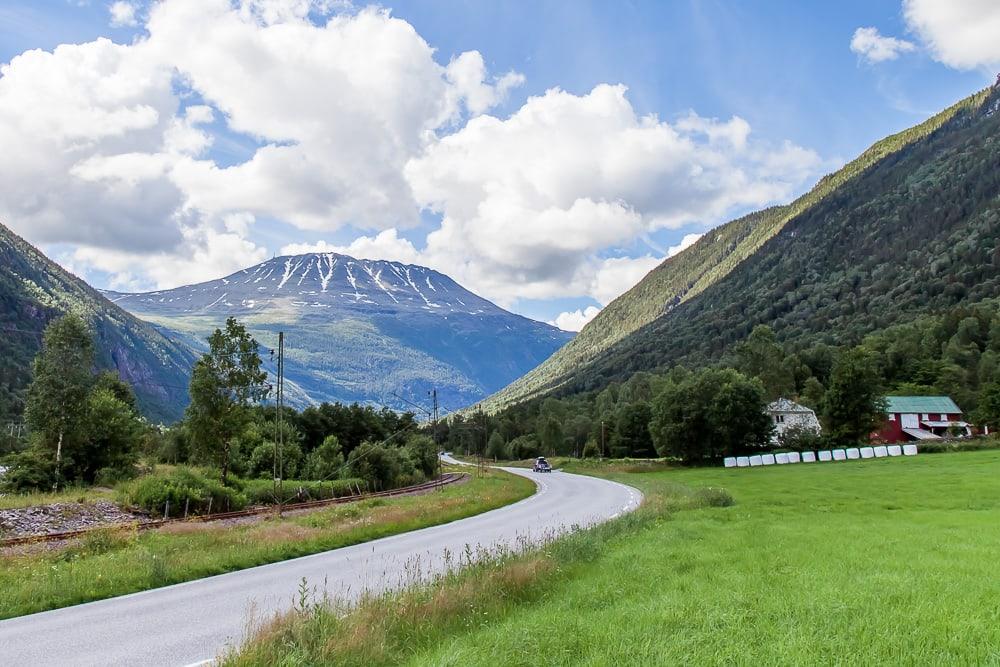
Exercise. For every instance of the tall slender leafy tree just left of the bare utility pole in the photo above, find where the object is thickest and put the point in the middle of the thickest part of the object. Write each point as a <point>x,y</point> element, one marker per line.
<point>223,384</point>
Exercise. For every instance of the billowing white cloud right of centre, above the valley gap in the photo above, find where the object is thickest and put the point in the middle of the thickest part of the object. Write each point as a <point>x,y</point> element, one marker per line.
<point>529,202</point>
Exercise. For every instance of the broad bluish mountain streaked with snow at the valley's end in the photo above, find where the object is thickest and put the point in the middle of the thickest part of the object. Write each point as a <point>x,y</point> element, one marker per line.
<point>361,330</point>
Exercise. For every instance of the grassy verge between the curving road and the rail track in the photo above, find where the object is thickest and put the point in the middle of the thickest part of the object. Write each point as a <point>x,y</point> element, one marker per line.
<point>118,561</point>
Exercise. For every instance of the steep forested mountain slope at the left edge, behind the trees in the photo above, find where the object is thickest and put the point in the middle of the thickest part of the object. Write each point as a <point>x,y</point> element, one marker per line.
<point>34,290</point>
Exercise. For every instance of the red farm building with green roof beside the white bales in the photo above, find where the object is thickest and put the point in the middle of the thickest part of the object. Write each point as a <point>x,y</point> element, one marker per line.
<point>911,418</point>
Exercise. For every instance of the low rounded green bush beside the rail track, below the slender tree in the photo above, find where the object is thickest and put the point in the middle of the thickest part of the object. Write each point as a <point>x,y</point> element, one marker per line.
<point>181,487</point>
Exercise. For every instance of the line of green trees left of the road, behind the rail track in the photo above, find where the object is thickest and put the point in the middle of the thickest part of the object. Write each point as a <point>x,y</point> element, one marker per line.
<point>84,428</point>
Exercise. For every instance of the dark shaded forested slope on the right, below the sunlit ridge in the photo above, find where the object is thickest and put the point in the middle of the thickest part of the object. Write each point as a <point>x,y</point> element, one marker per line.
<point>918,232</point>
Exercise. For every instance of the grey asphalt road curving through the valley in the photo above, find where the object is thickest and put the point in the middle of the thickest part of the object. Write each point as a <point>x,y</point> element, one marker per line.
<point>191,623</point>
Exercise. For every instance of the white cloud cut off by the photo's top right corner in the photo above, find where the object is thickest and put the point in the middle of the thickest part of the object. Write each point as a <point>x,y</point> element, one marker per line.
<point>963,34</point>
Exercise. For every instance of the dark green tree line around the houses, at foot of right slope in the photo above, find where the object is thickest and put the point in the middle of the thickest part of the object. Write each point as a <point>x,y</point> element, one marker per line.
<point>700,413</point>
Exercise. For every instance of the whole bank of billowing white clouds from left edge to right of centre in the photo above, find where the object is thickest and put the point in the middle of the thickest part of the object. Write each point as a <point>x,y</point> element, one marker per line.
<point>351,121</point>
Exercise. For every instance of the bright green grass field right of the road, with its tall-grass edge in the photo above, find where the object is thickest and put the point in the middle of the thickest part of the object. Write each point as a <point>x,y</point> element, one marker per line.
<point>868,562</point>
